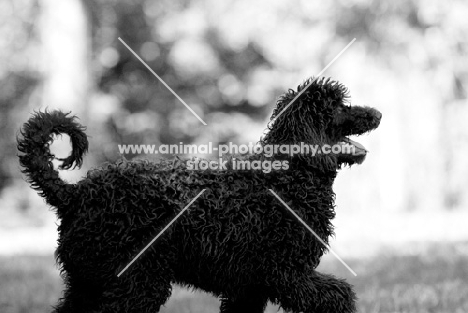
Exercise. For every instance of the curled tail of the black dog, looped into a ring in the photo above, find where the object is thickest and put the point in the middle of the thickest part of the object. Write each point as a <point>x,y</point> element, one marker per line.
<point>36,159</point>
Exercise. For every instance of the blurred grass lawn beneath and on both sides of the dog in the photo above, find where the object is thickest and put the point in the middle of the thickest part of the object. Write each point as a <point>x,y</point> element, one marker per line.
<point>434,281</point>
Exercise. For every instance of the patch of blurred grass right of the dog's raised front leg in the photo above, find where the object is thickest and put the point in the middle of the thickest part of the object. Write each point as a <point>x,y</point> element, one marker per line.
<point>433,282</point>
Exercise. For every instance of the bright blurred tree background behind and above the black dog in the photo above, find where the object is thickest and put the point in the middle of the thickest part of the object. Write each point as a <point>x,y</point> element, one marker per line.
<point>229,60</point>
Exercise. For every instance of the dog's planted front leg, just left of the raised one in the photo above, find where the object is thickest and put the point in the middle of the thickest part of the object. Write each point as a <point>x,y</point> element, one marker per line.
<point>251,300</point>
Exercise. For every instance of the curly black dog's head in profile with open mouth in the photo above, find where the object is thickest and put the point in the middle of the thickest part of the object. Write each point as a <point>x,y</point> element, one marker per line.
<point>319,114</point>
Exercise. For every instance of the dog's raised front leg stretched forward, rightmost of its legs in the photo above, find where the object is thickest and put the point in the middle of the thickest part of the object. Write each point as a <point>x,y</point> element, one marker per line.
<point>316,292</point>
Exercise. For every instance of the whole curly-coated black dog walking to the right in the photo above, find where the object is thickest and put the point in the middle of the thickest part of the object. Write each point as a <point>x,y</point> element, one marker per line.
<point>236,241</point>
